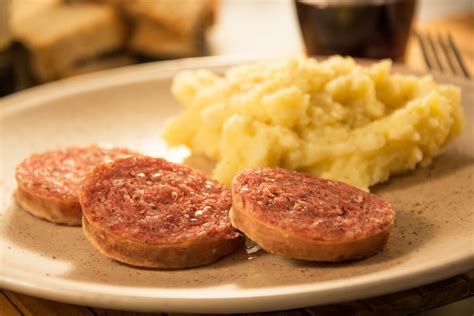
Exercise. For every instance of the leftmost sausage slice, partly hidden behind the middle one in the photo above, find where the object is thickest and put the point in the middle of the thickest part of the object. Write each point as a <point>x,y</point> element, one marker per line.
<point>48,182</point>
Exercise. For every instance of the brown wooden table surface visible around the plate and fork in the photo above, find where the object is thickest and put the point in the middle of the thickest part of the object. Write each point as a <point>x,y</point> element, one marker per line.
<point>413,300</point>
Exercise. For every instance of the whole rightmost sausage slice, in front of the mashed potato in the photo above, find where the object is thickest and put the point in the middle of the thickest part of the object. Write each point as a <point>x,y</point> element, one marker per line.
<point>305,217</point>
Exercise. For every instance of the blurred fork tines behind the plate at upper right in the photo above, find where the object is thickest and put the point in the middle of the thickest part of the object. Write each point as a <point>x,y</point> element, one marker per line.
<point>440,53</point>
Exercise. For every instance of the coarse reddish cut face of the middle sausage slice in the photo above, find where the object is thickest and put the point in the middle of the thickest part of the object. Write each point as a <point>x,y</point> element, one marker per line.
<point>154,201</point>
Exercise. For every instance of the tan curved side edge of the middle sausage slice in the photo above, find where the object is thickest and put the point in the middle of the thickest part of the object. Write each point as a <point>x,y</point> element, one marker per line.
<point>169,256</point>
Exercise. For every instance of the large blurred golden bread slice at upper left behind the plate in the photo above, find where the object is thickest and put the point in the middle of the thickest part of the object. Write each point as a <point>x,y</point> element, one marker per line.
<point>60,36</point>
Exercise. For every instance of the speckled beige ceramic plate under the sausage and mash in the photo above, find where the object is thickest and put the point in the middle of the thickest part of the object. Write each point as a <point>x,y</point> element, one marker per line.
<point>432,238</point>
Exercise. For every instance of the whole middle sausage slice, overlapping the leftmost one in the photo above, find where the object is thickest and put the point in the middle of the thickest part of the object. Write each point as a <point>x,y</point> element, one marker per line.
<point>149,212</point>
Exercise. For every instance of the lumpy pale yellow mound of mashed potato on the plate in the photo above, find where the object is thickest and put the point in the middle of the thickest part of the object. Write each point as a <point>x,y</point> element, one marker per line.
<point>334,118</point>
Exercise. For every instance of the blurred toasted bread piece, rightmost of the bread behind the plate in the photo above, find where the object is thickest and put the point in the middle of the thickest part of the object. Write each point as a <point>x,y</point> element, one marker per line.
<point>166,28</point>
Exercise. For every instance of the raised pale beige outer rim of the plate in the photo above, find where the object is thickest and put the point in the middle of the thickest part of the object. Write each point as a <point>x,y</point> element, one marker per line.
<point>213,300</point>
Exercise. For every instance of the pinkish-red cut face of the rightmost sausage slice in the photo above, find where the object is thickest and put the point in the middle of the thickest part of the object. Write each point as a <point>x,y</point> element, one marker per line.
<point>311,207</point>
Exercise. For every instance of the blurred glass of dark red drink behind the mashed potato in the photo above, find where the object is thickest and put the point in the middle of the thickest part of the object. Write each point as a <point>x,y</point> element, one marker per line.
<point>359,28</point>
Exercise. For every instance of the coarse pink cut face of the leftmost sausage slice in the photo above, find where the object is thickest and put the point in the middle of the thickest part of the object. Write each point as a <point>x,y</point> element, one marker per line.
<point>58,174</point>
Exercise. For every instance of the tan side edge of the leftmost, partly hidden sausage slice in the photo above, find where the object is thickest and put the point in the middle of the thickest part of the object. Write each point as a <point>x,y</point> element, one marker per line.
<point>67,212</point>
